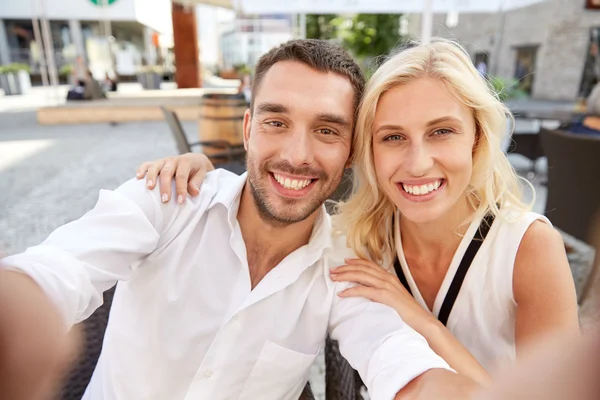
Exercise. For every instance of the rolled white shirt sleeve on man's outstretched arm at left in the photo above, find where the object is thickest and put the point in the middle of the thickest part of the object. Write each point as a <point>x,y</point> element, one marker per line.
<point>82,259</point>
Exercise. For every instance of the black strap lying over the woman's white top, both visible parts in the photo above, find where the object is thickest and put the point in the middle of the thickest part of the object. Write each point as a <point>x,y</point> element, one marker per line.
<point>461,271</point>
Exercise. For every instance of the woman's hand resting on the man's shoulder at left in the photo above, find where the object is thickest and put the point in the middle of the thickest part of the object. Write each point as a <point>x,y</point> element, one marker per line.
<point>188,169</point>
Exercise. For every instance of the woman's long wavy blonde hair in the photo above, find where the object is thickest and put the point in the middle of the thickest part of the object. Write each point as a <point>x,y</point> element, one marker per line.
<point>367,217</point>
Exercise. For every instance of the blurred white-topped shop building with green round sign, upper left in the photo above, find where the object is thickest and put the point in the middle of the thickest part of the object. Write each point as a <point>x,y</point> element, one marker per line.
<point>82,28</point>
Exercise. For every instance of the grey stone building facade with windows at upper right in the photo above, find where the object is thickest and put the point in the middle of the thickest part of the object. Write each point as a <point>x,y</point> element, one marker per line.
<point>548,47</point>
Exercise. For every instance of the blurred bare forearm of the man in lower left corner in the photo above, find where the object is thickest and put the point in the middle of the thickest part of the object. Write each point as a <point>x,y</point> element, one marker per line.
<point>36,349</point>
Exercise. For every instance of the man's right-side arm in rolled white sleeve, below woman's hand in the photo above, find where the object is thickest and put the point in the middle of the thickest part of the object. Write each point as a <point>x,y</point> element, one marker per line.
<point>394,361</point>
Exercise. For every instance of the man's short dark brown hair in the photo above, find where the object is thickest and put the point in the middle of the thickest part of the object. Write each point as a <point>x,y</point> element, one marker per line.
<point>318,54</point>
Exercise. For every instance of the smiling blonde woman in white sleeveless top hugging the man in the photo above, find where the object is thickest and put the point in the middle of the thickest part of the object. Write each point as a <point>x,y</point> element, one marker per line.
<point>431,183</point>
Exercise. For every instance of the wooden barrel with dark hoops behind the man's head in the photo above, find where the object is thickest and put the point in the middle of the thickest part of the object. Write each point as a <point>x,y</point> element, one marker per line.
<point>222,118</point>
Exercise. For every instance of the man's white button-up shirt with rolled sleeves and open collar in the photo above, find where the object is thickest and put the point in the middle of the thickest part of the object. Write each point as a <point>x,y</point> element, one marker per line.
<point>185,323</point>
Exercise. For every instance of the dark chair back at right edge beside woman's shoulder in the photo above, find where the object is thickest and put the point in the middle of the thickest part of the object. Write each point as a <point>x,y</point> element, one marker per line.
<point>573,188</point>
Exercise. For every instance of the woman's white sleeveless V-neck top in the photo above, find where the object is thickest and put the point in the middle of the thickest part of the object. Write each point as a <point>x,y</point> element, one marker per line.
<point>483,316</point>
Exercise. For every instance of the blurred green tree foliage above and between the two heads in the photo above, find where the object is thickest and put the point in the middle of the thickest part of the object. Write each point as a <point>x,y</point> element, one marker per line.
<point>371,35</point>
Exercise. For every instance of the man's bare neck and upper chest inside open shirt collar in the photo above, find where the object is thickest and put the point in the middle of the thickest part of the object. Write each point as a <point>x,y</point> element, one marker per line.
<point>268,243</point>
